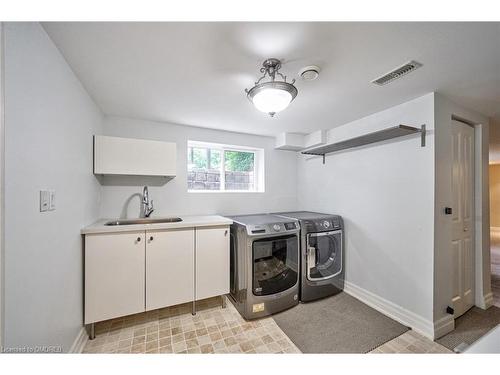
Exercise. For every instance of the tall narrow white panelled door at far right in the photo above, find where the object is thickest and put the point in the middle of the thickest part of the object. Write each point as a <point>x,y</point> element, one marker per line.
<point>463,217</point>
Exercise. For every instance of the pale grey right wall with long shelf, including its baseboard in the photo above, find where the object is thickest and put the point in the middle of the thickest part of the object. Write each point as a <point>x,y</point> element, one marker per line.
<point>385,193</point>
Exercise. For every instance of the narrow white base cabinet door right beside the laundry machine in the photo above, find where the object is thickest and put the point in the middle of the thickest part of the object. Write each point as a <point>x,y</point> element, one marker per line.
<point>212,262</point>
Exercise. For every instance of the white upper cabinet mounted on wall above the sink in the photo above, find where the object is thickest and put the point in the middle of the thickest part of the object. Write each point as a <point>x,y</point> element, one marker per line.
<point>134,157</point>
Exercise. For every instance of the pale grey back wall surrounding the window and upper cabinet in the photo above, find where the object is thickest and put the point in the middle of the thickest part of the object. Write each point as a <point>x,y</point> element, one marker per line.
<point>119,195</point>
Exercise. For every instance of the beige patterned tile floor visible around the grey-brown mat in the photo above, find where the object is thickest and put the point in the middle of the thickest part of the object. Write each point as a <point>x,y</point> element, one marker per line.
<point>214,330</point>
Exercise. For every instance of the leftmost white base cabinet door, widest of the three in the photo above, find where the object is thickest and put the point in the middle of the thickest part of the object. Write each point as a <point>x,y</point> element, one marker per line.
<point>114,275</point>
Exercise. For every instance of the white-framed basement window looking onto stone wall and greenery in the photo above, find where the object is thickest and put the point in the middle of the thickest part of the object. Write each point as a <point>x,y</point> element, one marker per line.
<point>214,167</point>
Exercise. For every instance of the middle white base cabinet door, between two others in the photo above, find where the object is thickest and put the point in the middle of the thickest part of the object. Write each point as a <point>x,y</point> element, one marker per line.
<point>169,268</point>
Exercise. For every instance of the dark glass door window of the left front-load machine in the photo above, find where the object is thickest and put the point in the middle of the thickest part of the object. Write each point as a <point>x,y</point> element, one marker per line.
<point>275,264</point>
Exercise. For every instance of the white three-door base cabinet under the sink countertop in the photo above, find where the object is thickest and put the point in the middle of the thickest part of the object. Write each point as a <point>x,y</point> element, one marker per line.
<point>133,272</point>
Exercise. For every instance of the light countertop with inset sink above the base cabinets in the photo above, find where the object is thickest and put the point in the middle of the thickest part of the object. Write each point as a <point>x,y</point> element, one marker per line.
<point>187,222</point>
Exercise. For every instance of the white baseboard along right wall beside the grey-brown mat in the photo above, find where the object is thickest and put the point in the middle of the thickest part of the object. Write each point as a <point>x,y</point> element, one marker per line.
<point>396,312</point>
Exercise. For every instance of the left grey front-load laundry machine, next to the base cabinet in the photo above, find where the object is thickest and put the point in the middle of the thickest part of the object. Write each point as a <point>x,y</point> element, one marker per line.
<point>264,264</point>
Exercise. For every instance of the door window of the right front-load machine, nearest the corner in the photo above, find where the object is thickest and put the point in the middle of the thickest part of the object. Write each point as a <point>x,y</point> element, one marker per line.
<point>324,255</point>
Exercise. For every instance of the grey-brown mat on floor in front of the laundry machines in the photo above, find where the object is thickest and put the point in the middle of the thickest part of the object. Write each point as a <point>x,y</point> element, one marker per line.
<point>337,324</point>
